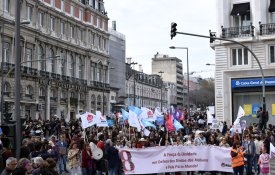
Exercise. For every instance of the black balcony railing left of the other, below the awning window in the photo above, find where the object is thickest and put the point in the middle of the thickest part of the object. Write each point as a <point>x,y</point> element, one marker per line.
<point>238,32</point>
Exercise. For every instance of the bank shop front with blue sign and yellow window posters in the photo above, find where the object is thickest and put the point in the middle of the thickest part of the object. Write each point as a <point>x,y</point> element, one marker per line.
<point>248,94</point>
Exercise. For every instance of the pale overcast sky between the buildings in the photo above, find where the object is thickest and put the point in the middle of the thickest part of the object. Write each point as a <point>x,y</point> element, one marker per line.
<point>146,25</point>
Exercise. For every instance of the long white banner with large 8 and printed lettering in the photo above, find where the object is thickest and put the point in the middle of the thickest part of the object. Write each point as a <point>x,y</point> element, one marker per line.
<point>175,158</point>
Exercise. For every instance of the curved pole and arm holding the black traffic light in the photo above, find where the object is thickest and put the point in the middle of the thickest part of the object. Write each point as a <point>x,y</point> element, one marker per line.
<point>236,42</point>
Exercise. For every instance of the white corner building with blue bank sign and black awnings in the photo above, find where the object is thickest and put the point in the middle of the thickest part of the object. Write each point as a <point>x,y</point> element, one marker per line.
<point>238,77</point>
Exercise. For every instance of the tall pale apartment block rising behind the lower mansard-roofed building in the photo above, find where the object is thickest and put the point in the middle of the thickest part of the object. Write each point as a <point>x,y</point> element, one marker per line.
<point>172,73</point>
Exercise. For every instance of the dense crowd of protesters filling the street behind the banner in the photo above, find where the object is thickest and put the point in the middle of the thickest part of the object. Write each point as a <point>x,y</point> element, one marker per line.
<point>57,147</point>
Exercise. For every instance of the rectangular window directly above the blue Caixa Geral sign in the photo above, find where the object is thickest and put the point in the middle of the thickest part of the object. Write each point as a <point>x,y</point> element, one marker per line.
<point>239,56</point>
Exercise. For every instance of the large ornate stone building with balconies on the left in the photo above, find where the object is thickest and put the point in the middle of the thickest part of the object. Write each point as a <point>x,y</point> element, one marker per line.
<point>75,30</point>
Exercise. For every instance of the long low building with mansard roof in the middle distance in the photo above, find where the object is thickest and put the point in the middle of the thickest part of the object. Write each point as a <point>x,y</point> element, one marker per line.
<point>144,90</point>
